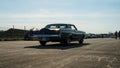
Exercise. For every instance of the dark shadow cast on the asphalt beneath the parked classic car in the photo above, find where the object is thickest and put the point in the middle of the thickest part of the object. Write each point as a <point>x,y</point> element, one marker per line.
<point>58,46</point>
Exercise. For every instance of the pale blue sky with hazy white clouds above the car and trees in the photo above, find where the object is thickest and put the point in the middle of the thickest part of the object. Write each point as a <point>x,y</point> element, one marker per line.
<point>92,16</point>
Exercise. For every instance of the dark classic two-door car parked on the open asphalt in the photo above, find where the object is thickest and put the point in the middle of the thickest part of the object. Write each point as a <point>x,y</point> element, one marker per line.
<point>63,33</point>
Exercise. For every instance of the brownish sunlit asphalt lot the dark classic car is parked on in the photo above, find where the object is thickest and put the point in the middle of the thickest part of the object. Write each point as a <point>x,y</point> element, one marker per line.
<point>94,53</point>
